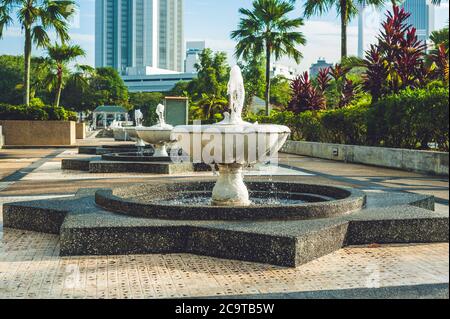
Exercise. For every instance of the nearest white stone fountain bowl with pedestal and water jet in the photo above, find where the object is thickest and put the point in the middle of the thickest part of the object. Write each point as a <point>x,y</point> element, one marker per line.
<point>231,144</point>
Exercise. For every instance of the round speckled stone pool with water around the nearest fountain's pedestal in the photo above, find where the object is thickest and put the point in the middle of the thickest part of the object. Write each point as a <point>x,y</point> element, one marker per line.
<point>190,201</point>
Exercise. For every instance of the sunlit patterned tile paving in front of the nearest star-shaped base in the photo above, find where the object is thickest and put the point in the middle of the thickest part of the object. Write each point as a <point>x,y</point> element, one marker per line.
<point>31,268</point>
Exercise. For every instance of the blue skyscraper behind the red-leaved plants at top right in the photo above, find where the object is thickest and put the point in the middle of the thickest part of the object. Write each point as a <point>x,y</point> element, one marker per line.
<point>422,17</point>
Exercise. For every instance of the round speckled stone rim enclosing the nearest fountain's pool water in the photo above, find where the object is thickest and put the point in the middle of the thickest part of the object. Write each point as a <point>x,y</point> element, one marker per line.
<point>347,200</point>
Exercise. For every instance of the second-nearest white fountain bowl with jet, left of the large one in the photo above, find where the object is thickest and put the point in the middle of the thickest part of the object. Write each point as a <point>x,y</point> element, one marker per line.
<point>159,136</point>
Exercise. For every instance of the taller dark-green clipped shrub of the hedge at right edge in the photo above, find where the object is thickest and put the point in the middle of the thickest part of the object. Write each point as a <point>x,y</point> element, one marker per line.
<point>411,119</point>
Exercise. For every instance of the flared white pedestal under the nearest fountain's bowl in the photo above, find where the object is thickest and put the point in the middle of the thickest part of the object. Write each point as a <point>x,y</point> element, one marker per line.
<point>230,189</point>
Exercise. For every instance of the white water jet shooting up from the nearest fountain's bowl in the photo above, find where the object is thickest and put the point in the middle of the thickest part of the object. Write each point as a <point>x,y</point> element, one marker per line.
<point>236,91</point>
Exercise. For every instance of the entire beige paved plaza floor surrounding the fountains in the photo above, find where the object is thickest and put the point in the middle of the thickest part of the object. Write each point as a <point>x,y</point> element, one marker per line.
<point>30,266</point>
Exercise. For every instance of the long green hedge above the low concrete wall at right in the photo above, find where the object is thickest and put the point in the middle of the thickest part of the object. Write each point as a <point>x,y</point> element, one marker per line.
<point>410,119</point>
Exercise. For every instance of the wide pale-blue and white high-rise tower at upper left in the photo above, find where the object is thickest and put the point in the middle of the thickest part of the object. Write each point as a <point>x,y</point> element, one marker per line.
<point>139,34</point>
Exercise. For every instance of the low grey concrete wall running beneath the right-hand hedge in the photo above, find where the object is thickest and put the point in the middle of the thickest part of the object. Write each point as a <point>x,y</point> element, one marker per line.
<point>435,163</point>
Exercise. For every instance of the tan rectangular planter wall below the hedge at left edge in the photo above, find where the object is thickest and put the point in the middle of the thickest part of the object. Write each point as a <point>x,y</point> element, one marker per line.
<point>39,133</point>
